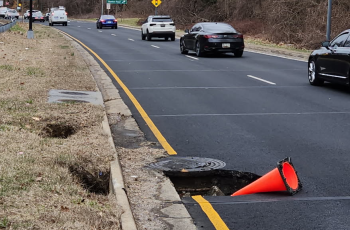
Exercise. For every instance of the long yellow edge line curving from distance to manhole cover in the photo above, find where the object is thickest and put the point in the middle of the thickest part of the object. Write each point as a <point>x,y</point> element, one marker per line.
<point>139,108</point>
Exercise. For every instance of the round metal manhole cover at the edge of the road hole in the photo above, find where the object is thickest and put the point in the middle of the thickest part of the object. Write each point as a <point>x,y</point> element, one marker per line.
<point>187,164</point>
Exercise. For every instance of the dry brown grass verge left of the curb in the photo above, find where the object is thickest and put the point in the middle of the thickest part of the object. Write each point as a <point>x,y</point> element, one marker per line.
<point>48,181</point>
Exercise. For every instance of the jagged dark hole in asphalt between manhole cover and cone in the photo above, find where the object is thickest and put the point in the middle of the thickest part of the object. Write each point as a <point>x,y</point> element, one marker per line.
<point>210,183</point>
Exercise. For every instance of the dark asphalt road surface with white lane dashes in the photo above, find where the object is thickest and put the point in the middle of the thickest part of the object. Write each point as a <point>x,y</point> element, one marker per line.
<point>249,112</point>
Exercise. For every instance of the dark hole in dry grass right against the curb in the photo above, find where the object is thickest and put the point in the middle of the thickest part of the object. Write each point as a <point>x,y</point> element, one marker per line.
<point>97,183</point>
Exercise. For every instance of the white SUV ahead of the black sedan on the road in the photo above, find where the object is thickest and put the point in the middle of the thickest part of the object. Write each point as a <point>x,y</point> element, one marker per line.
<point>160,26</point>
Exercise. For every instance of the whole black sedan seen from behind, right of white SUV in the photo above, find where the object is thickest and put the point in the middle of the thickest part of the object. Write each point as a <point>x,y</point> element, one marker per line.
<point>213,37</point>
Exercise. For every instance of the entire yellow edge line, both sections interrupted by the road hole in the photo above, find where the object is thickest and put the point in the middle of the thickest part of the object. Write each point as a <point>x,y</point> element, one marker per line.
<point>207,208</point>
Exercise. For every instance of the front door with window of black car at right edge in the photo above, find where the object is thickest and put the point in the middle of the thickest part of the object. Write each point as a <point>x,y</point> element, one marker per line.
<point>330,64</point>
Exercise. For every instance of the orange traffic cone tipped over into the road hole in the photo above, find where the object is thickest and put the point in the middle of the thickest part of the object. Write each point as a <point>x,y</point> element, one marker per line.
<point>282,178</point>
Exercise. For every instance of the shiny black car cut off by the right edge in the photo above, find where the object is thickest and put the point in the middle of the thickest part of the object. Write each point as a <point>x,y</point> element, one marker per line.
<point>331,62</point>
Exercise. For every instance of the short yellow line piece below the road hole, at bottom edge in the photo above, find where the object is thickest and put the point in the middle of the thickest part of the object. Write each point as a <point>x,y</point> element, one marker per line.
<point>213,216</point>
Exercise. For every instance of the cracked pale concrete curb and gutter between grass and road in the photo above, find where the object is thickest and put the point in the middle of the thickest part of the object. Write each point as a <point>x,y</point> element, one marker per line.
<point>173,211</point>
